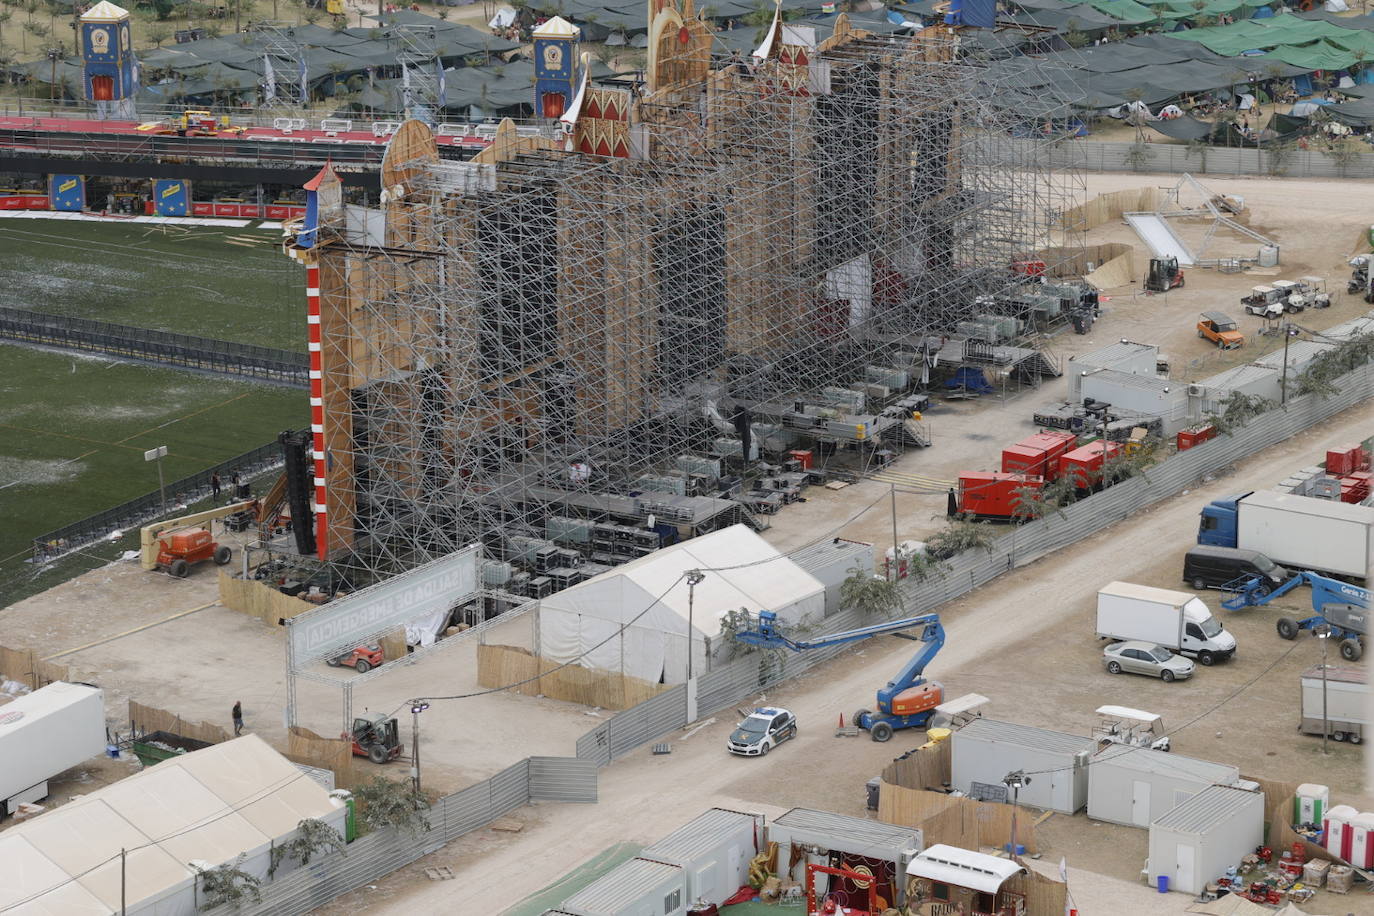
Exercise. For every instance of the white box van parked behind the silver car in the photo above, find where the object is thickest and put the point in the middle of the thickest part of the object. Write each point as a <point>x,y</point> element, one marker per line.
<point>1177,621</point>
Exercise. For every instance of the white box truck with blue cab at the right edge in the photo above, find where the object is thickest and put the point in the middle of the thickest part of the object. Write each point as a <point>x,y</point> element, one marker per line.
<point>1298,532</point>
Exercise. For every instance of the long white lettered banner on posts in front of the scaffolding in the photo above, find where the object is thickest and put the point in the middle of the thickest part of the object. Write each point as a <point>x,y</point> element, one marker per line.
<point>340,626</point>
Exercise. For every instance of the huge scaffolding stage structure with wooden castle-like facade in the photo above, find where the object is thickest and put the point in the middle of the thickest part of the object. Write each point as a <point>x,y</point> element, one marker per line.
<point>736,257</point>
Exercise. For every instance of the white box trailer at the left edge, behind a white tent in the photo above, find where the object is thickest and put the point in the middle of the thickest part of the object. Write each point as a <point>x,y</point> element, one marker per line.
<point>43,734</point>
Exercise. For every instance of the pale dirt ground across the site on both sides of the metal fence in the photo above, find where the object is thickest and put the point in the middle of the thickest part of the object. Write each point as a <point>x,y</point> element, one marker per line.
<point>1022,642</point>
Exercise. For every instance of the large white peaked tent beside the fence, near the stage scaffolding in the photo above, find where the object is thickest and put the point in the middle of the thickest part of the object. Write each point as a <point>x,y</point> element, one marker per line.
<point>651,595</point>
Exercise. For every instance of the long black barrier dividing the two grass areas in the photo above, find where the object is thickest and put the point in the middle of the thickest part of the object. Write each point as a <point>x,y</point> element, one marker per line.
<point>164,348</point>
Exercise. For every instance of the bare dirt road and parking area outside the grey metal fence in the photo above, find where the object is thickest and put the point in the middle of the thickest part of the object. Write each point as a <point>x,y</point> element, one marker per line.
<point>1024,642</point>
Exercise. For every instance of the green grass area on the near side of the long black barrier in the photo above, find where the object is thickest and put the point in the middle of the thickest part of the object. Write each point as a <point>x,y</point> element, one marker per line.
<point>74,431</point>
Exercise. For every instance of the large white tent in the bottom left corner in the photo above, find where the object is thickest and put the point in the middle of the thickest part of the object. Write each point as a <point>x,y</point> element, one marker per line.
<point>208,807</point>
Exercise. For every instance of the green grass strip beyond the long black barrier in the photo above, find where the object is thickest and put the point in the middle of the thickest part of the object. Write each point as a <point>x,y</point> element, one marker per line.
<point>196,281</point>
